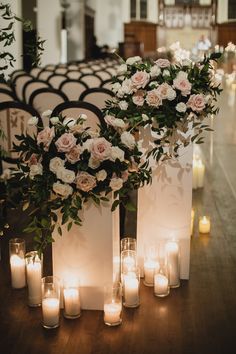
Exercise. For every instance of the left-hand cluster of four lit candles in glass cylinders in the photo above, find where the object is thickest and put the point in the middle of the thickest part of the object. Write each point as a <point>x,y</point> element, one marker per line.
<point>26,268</point>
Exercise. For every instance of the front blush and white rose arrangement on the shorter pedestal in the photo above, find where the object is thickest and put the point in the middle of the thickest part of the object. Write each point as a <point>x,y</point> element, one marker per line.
<point>67,164</point>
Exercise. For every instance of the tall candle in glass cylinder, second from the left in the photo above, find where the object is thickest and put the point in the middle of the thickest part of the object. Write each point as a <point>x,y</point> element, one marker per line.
<point>34,267</point>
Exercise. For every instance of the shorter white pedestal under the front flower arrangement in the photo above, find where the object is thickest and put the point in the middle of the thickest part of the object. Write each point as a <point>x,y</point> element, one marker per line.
<point>89,252</point>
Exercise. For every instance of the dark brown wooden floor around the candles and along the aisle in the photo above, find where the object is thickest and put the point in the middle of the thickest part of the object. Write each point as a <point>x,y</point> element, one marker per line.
<point>197,318</point>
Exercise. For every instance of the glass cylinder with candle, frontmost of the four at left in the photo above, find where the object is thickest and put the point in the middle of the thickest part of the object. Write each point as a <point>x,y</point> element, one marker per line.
<point>50,302</point>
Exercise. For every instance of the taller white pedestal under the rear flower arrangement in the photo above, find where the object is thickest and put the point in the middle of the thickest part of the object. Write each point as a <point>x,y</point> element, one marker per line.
<point>164,207</point>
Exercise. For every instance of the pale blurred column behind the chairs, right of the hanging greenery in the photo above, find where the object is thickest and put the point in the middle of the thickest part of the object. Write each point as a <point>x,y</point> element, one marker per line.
<point>48,26</point>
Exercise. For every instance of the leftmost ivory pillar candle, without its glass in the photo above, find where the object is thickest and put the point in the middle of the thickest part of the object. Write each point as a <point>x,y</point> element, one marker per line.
<point>17,272</point>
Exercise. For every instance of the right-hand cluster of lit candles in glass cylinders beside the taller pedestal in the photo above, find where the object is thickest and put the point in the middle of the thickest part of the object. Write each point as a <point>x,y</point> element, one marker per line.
<point>161,270</point>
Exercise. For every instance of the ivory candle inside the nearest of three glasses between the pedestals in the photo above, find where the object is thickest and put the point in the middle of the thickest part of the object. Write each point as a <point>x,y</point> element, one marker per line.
<point>131,291</point>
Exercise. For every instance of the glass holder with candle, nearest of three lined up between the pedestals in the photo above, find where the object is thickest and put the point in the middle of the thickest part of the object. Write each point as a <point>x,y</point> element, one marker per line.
<point>131,285</point>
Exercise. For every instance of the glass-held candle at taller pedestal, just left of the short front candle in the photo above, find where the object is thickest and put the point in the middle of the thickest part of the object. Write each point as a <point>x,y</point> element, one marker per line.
<point>150,264</point>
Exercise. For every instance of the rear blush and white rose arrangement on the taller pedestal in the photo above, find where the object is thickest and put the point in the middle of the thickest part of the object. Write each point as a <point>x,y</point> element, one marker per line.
<point>173,99</point>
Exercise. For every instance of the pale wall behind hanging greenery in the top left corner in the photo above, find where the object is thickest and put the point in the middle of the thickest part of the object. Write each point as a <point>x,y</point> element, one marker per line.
<point>16,47</point>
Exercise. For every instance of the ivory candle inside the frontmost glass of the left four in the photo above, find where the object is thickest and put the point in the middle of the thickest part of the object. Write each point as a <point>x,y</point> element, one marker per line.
<point>51,310</point>
